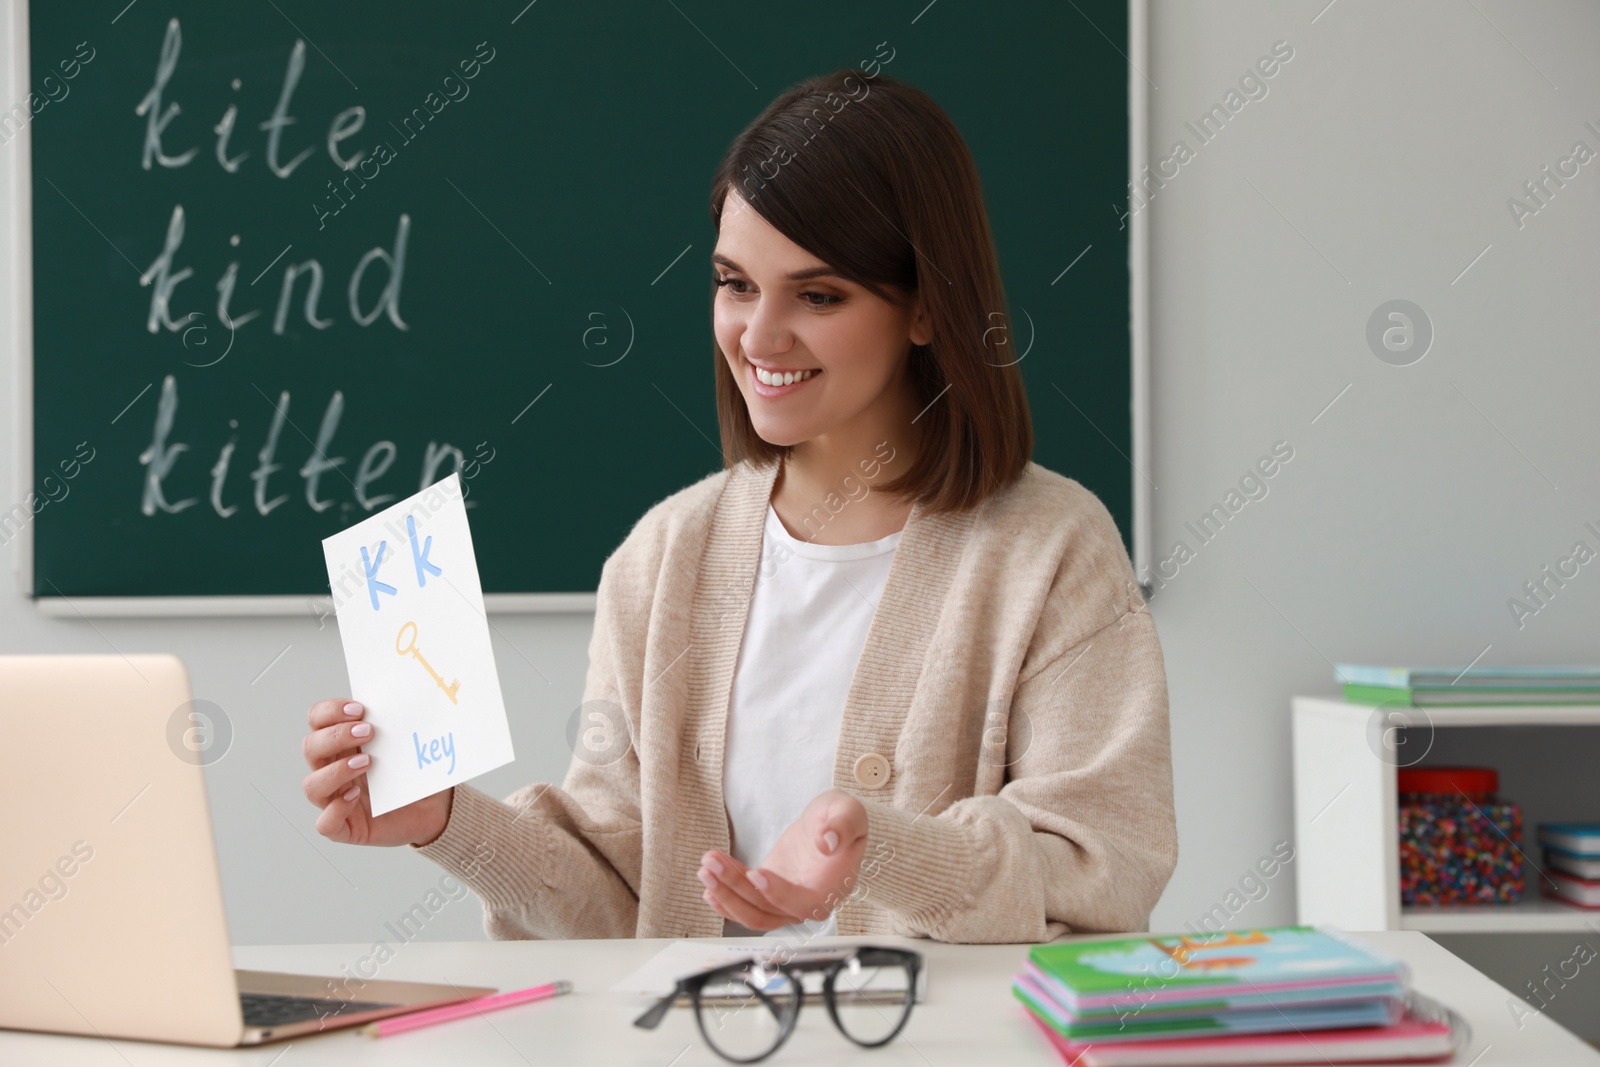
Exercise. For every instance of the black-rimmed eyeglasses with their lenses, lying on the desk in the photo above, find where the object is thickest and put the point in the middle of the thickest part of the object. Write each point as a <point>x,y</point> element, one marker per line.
<point>748,1010</point>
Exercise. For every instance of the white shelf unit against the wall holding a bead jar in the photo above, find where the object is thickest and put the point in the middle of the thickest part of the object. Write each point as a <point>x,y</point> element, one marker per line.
<point>1346,818</point>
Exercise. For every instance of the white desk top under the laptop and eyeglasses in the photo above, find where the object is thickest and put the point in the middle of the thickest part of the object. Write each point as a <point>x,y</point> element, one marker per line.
<point>969,1018</point>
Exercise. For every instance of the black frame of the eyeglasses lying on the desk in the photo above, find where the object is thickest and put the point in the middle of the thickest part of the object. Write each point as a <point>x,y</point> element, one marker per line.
<point>793,965</point>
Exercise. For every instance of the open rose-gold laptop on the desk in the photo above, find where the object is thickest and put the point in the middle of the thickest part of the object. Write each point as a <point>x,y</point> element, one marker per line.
<point>111,905</point>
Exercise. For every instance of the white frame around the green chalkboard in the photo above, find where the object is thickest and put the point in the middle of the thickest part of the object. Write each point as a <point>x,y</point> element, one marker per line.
<point>17,297</point>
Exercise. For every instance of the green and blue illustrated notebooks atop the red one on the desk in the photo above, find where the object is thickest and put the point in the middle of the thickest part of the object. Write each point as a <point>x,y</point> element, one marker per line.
<point>1153,970</point>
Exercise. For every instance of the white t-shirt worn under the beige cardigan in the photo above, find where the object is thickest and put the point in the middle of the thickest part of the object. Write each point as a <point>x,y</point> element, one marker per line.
<point>809,621</point>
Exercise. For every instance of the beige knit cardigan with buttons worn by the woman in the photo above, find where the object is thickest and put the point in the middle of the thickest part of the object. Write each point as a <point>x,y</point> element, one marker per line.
<point>1012,681</point>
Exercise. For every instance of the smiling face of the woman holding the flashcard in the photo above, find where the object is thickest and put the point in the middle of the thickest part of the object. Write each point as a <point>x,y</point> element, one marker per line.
<point>783,316</point>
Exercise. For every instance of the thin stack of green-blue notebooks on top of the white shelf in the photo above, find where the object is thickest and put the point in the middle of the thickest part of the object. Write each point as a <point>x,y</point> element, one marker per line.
<point>1473,685</point>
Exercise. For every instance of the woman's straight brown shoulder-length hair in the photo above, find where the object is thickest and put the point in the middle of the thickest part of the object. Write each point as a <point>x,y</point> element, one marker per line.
<point>873,178</point>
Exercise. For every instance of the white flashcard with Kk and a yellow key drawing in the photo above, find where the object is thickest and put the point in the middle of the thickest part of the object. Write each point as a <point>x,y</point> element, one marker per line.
<point>417,644</point>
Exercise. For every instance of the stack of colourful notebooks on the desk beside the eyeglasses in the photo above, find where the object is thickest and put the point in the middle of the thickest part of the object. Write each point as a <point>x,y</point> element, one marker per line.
<point>1284,996</point>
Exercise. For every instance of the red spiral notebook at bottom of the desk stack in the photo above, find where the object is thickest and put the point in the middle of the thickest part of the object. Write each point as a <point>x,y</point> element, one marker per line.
<point>1418,1037</point>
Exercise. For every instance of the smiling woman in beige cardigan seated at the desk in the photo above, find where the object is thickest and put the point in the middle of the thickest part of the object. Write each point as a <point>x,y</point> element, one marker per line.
<point>881,673</point>
